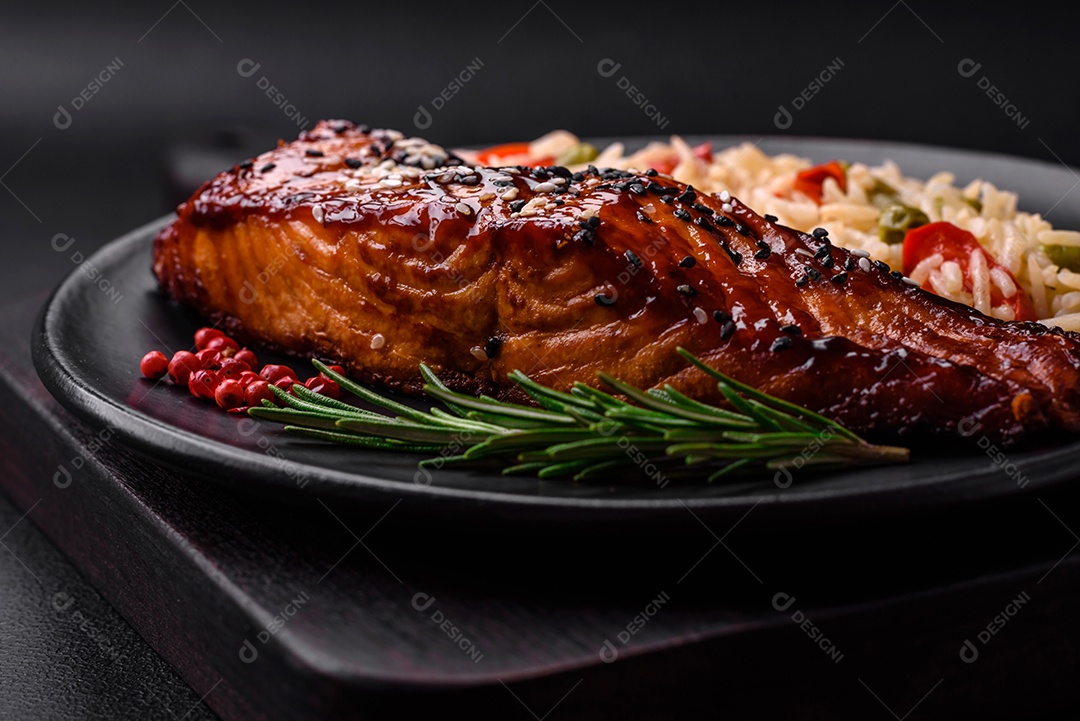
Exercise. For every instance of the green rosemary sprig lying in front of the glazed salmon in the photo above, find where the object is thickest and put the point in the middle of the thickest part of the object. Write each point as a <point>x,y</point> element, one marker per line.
<point>587,433</point>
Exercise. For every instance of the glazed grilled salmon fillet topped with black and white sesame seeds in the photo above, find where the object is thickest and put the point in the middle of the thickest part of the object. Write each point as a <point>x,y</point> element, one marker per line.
<point>381,252</point>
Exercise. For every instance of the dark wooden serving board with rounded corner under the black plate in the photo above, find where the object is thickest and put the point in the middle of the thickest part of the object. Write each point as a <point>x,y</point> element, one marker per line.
<point>198,572</point>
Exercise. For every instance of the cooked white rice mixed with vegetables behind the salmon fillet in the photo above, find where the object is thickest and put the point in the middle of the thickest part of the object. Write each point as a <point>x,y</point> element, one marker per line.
<point>765,183</point>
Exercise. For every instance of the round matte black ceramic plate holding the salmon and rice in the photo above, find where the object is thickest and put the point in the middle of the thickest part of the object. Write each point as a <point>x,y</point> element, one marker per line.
<point>99,324</point>
